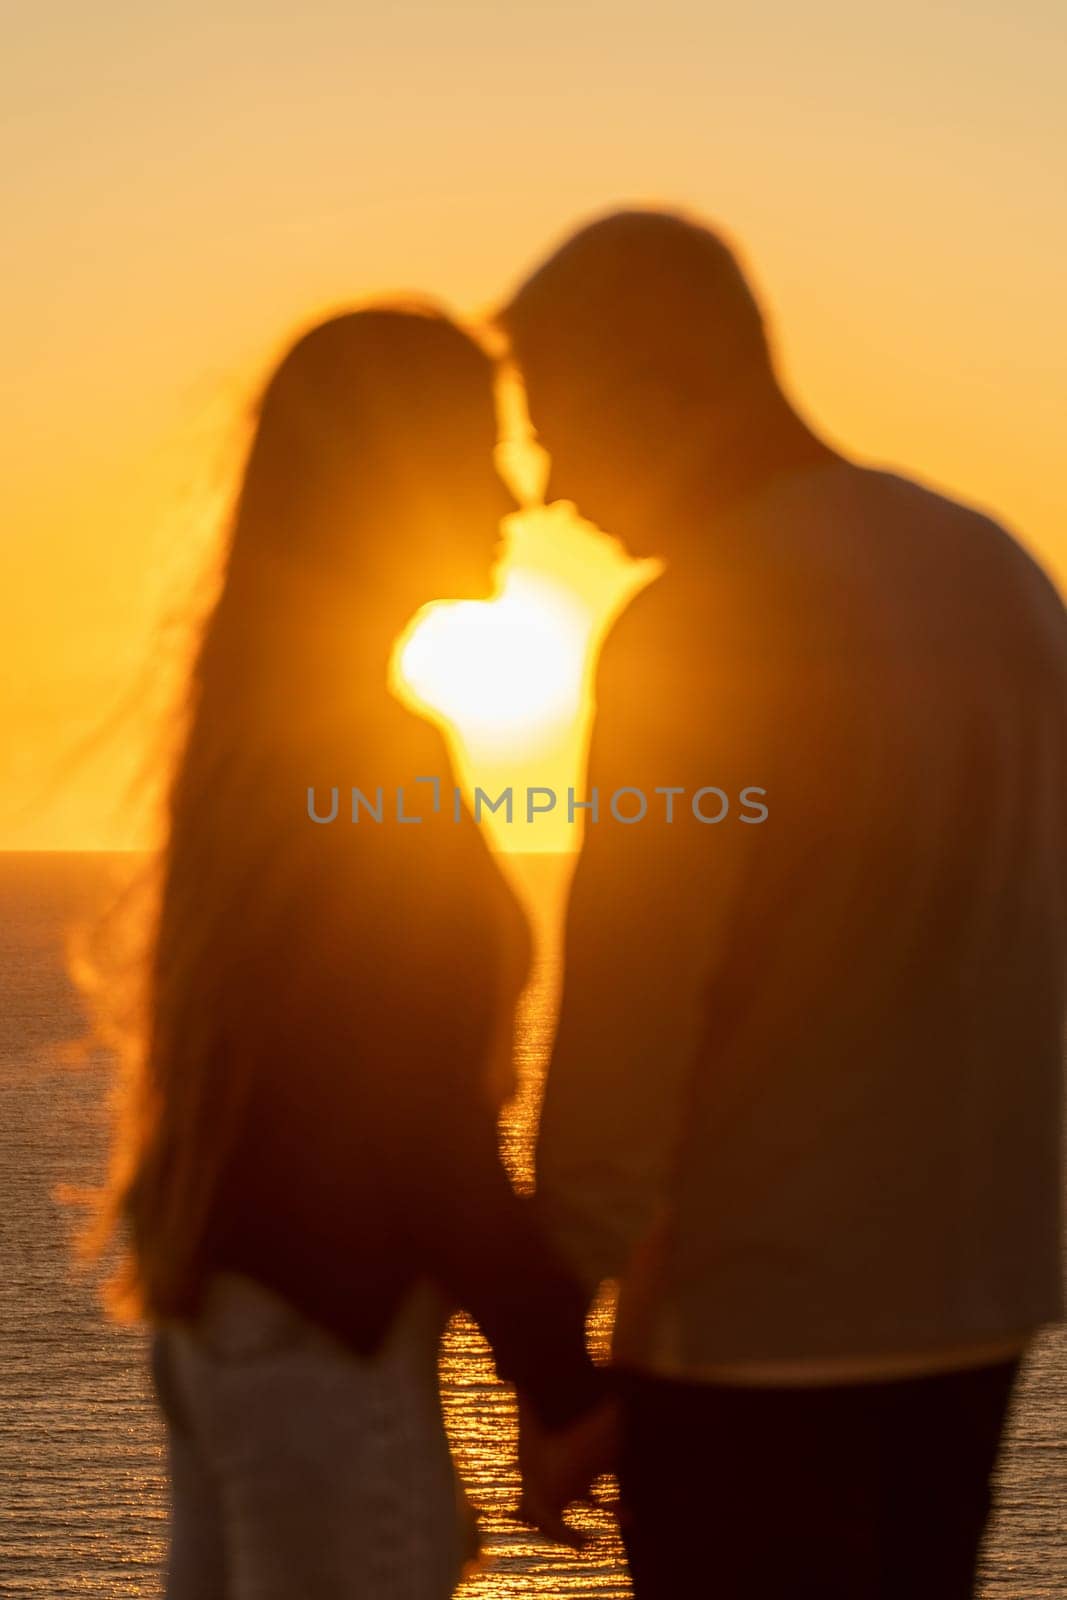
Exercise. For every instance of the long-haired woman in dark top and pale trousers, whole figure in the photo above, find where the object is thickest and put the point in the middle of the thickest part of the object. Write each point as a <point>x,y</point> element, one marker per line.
<point>308,1167</point>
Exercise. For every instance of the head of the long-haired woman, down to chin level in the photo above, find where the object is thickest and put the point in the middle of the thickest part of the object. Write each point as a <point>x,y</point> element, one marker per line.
<point>370,486</point>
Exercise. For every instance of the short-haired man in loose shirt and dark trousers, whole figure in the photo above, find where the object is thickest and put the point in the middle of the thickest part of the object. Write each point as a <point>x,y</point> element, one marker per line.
<point>805,1095</point>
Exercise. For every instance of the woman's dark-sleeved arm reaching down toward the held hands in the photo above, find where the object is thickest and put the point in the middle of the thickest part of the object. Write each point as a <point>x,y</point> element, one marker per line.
<point>478,1238</point>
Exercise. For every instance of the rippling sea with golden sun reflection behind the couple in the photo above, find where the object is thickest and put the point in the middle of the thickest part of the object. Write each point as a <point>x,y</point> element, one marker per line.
<point>82,1482</point>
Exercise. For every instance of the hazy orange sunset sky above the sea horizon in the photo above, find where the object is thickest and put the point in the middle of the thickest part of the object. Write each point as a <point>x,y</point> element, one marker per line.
<point>190,183</point>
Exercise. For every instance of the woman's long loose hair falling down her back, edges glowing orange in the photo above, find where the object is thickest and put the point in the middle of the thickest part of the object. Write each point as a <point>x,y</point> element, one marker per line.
<point>318,532</point>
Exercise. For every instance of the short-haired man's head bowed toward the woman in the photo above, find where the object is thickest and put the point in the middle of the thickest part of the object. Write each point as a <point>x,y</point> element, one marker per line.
<point>639,342</point>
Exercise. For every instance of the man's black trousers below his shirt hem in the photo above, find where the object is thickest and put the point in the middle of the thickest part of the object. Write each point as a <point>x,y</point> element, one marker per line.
<point>857,1492</point>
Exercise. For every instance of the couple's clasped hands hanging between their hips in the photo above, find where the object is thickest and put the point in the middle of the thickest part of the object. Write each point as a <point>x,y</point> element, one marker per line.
<point>559,1466</point>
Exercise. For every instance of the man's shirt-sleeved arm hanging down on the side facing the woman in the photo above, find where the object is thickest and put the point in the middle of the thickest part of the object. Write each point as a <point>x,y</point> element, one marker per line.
<point>647,908</point>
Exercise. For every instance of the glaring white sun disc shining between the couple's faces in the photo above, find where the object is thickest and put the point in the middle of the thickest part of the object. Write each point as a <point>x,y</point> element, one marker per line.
<point>505,671</point>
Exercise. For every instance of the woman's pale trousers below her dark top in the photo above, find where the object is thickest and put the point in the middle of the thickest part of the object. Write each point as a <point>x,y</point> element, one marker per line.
<point>302,1471</point>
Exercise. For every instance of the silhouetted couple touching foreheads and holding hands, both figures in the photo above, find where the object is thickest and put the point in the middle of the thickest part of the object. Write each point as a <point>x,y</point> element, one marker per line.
<point>804,1102</point>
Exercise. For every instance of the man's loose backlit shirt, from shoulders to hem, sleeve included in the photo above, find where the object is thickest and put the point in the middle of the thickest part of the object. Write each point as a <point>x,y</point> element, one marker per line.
<point>858,1126</point>
